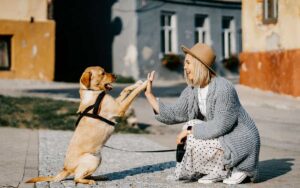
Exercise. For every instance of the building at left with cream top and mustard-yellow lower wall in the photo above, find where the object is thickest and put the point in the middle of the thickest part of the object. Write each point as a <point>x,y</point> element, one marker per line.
<point>26,40</point>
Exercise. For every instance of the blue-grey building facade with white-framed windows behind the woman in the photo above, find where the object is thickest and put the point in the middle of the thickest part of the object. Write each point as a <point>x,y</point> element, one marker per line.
<point>154,29</point>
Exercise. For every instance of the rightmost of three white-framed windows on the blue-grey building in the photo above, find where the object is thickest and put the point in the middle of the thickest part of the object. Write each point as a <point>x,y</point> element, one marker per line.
<point>228,37</point>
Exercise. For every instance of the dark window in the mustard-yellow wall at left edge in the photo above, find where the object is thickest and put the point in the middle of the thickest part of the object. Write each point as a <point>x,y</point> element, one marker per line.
<point>5,41</point>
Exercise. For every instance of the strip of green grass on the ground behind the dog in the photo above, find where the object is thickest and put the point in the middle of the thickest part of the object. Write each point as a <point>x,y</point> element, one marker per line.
<point>39,113</point>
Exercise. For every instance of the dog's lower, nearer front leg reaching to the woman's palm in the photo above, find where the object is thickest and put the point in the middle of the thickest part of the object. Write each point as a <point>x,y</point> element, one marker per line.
<point>128,100</point>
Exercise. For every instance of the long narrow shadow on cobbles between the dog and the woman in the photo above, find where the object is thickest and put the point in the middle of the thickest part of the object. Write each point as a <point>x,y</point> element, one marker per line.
<point>138,170</point>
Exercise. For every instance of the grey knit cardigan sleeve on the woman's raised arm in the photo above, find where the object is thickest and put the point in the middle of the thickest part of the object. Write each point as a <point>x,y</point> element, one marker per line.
<point>174,113</point>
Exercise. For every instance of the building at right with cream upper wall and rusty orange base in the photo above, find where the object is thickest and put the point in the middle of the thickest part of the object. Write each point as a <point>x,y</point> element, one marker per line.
<point>271,45</point>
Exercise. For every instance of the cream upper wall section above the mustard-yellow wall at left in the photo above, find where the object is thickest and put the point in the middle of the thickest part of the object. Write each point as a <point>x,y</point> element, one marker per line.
<point>23,9</point>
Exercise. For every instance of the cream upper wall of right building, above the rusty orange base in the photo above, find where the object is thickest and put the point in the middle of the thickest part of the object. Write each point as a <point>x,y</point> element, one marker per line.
<point>281,36</point>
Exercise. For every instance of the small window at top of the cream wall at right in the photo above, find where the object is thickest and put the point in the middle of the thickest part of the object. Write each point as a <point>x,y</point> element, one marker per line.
<point>270,11</point>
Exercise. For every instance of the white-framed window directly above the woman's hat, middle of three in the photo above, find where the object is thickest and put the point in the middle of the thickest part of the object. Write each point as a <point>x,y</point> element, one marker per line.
<point>202,33</point>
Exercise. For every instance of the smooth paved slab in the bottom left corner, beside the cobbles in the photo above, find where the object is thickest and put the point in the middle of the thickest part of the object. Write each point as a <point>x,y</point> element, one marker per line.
<point>18,156</point>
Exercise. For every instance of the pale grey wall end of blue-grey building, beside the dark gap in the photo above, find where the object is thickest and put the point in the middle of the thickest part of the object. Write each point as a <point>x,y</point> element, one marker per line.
<point>125,44</point>
